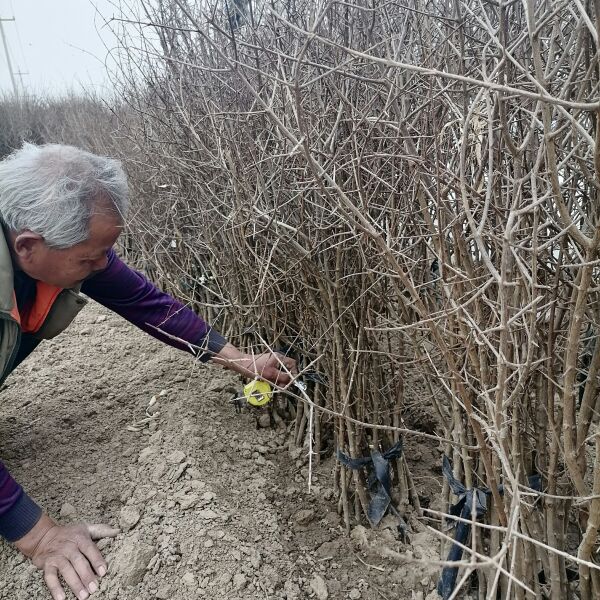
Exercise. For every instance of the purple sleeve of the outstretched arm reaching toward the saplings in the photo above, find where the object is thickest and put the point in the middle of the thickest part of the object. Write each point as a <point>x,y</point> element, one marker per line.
<point>131,295</point>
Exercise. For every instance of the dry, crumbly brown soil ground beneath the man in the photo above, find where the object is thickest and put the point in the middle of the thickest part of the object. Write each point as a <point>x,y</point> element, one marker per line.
<point>105,424</point>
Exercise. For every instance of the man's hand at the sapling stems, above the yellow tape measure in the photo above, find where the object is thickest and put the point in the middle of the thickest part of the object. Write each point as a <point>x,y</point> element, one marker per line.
<point>270,366</point>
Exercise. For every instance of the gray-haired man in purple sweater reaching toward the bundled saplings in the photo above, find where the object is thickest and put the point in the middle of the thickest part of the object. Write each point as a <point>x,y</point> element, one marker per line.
<point>62,210</point>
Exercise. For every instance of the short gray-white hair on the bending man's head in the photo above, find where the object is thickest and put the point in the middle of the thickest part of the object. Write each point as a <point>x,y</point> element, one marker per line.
<point>53,190</point>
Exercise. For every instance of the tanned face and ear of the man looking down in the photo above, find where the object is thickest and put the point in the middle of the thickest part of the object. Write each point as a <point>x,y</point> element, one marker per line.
<point>69,267</point>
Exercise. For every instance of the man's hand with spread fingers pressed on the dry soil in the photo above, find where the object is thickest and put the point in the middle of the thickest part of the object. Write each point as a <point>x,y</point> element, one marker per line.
<point>67,551</point>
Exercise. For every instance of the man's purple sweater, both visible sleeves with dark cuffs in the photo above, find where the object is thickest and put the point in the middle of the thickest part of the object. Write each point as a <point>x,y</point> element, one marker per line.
<point>131,295</point>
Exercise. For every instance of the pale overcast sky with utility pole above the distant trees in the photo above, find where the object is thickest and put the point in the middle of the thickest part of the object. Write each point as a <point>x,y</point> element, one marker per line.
<point>61,45</point>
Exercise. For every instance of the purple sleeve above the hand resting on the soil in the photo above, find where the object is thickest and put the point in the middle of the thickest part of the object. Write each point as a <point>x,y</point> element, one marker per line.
<point>18,512</point>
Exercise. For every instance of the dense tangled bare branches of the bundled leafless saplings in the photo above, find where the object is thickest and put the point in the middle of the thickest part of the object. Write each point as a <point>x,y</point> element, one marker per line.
<point>398,189</point>
